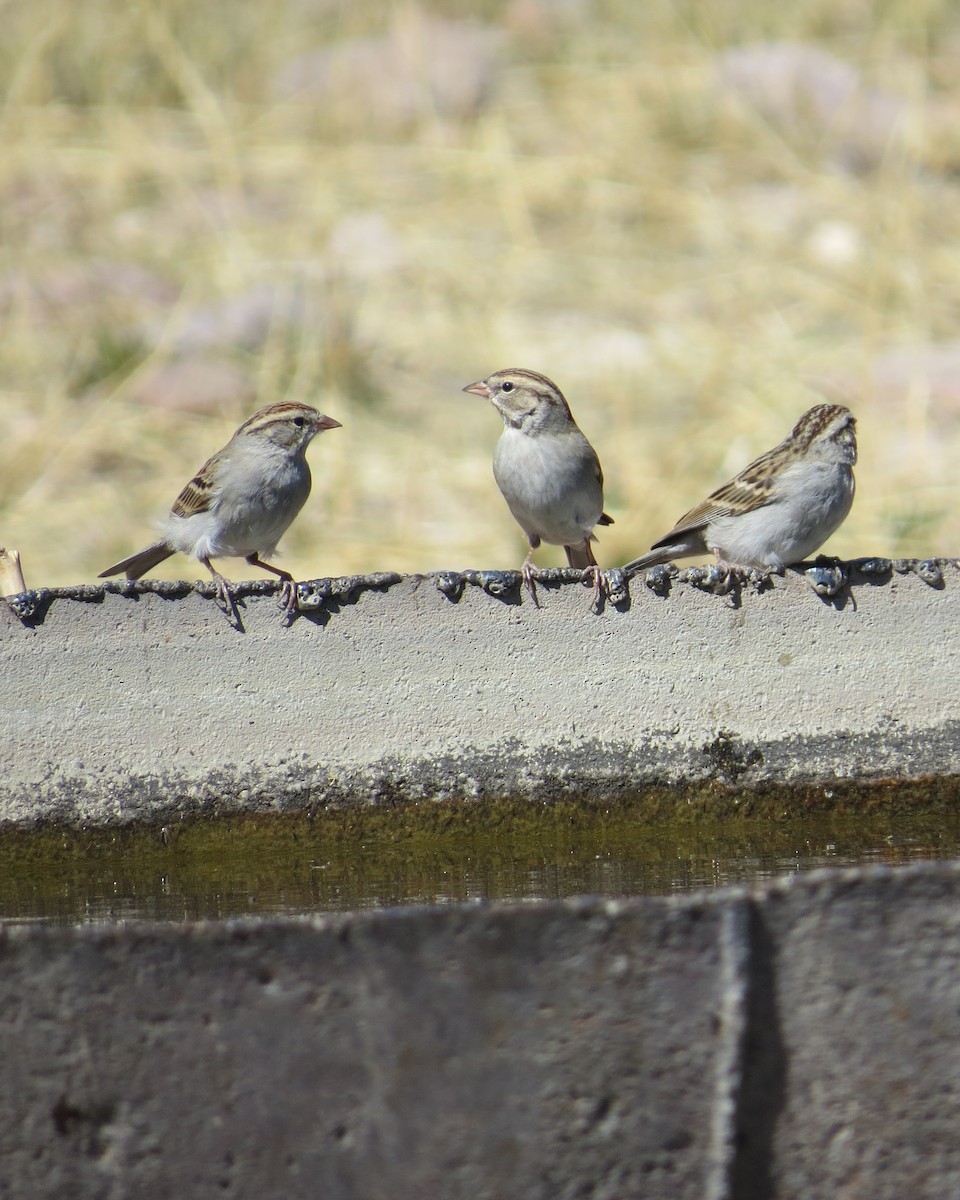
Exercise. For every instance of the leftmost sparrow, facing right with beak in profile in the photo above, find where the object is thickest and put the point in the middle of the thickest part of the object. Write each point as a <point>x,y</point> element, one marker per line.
<point>241,503</point>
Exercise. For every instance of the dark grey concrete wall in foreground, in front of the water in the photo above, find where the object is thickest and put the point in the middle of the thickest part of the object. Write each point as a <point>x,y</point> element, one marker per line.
<point>802,1041</point>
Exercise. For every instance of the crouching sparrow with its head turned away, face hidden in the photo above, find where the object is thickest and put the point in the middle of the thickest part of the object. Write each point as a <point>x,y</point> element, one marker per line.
<point>779,509</point>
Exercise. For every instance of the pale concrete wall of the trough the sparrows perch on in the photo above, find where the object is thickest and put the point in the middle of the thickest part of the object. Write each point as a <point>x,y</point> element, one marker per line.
<point>136,700</point>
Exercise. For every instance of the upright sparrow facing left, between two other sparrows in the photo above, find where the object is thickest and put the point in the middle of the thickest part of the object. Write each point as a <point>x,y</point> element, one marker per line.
<point>548,471</point>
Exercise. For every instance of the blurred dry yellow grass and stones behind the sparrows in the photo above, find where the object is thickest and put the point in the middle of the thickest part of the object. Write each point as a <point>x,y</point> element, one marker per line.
<point>698,217</point>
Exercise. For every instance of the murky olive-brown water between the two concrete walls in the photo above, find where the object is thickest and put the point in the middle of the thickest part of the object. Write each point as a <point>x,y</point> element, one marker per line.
<point>433,855</point>
